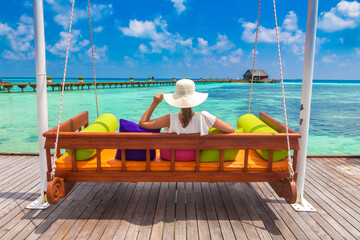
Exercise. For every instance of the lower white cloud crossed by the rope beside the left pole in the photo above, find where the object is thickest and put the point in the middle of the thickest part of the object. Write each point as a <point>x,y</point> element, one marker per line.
<point>77,43</point>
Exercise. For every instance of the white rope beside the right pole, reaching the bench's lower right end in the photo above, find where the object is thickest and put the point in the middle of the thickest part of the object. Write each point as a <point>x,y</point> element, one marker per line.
<point>290,160</point>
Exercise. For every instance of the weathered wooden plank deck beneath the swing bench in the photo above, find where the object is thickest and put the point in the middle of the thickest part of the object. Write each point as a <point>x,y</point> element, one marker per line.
<point>182,210</point>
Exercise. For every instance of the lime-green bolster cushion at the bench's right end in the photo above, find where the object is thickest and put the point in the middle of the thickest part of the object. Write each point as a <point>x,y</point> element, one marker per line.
<point>251,124</point>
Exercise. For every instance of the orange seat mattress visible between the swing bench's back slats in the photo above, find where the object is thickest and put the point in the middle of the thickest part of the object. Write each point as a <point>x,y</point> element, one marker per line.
<point>108,163</point>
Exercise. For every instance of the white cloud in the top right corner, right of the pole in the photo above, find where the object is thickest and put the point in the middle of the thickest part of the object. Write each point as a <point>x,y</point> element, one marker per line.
<point>346,15</point>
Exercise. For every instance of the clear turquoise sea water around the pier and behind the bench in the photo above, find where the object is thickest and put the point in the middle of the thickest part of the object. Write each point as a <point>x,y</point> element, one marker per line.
<point>334,124</point>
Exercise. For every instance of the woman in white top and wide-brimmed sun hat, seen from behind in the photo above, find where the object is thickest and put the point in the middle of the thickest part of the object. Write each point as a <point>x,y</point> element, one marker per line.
<point>186,121</point>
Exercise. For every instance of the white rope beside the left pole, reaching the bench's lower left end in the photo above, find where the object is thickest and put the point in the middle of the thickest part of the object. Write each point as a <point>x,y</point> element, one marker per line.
<point>53,164</point>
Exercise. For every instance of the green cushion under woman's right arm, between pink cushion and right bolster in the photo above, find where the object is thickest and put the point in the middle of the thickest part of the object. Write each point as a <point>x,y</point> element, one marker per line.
<point>214,155</point>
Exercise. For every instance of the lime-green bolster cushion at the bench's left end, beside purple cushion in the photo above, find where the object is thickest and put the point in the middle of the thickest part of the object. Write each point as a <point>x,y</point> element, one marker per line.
<point>105,123</point>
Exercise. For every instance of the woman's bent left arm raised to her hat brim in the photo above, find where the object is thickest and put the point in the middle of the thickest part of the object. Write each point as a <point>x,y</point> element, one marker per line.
<point>160,122</point>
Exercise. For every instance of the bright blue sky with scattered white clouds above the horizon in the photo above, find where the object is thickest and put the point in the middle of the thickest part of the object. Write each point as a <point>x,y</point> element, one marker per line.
<point>180,38</point>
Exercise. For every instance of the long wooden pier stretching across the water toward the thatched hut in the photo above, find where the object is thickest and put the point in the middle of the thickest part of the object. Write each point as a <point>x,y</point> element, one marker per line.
<point>125,84</point>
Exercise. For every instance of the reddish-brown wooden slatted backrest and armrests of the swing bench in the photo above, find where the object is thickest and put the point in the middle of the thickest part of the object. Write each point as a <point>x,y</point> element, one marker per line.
<point>71,138</point>
